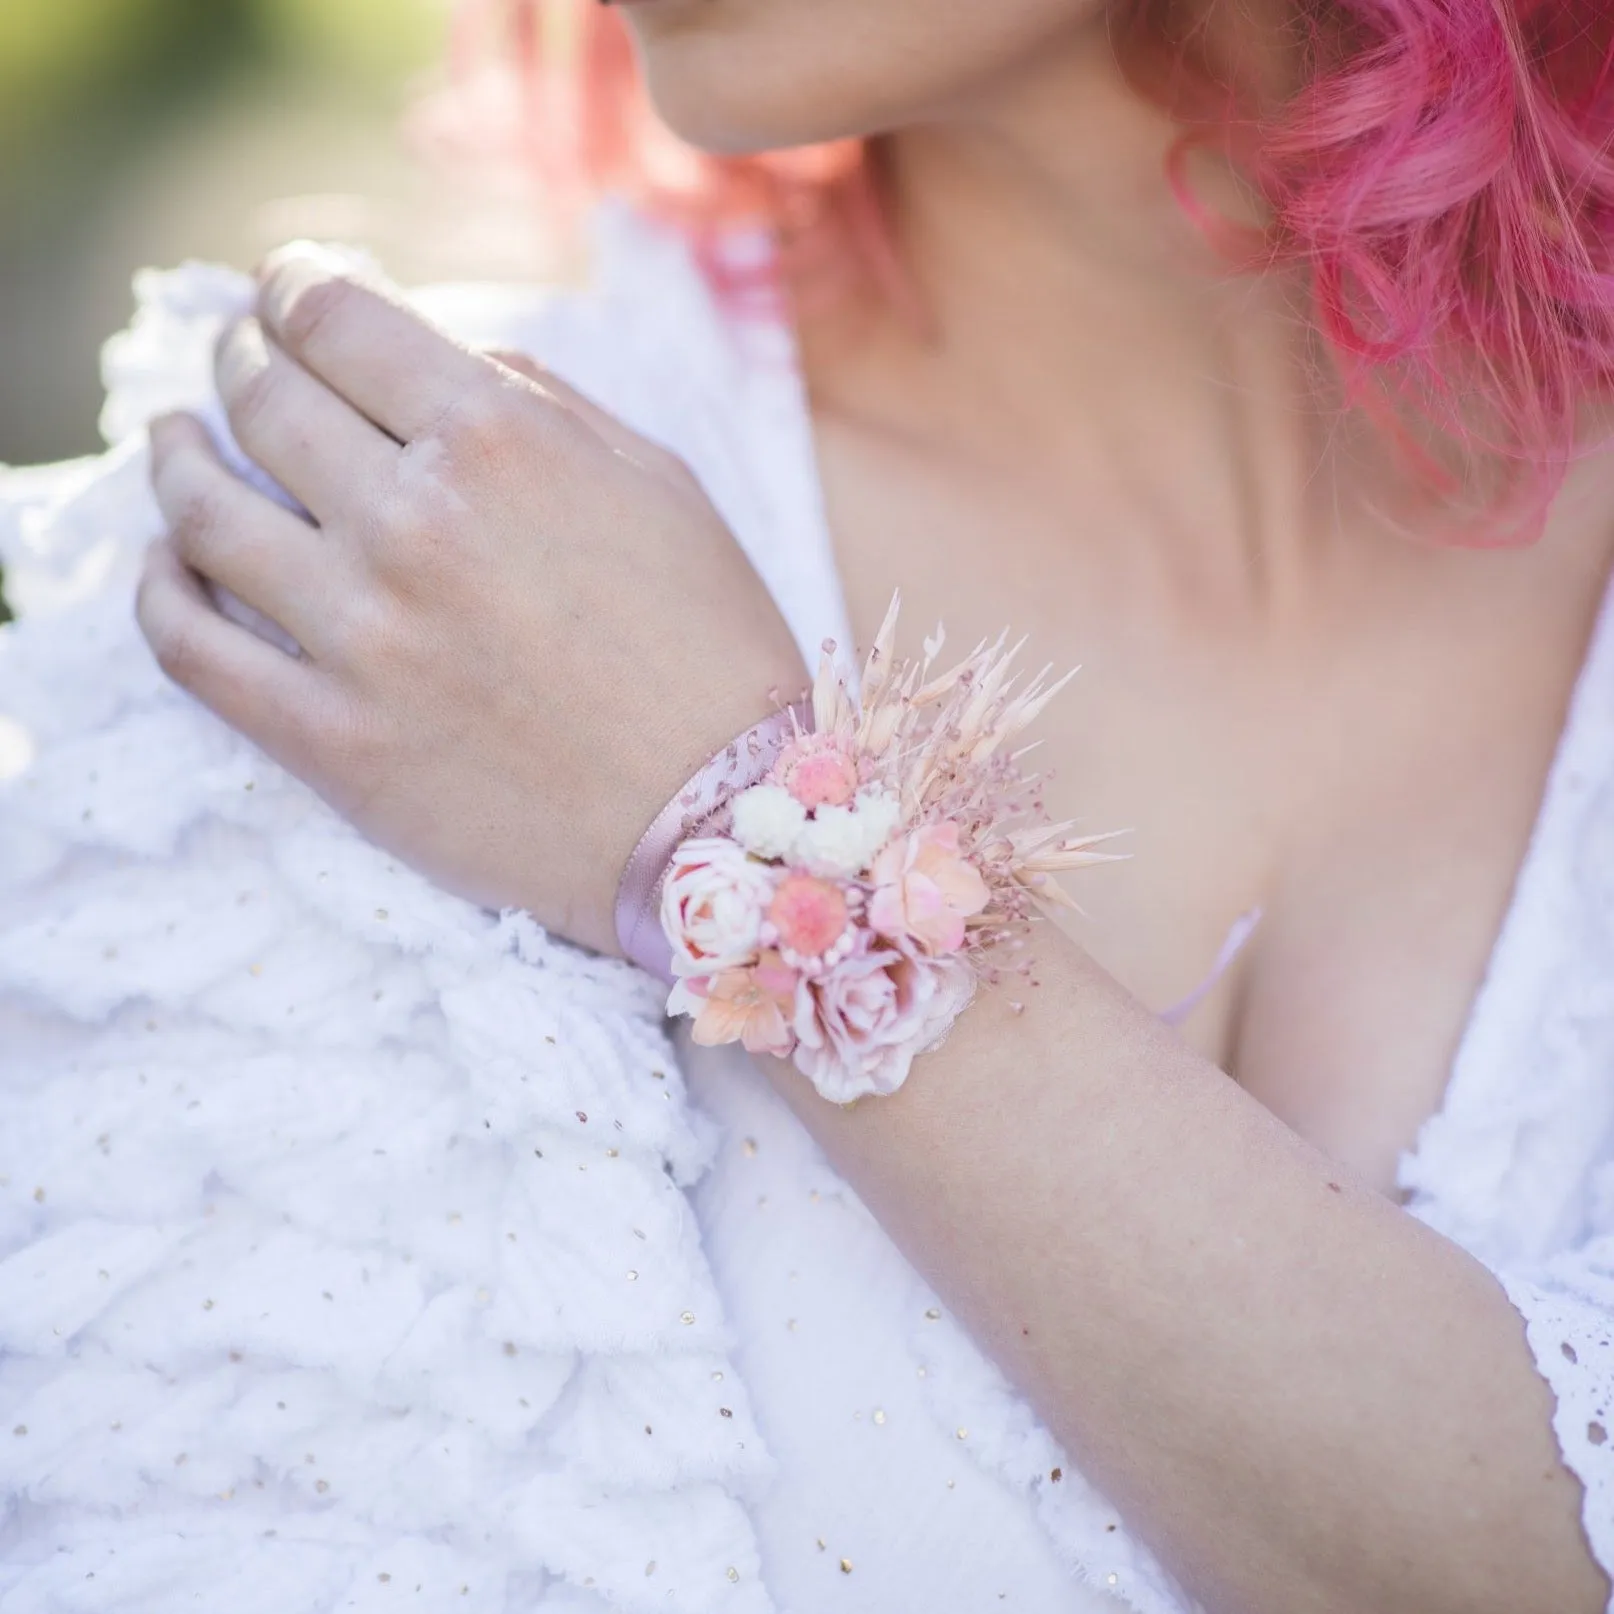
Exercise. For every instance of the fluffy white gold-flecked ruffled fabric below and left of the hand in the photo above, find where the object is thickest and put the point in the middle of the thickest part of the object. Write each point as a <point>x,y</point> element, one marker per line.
<point>346,1260</point>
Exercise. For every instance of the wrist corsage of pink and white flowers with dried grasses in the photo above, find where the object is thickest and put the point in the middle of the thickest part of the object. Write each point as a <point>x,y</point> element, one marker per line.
<point>843,916</point>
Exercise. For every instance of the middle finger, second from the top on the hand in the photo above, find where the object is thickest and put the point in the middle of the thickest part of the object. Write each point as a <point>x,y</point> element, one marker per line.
<point>316,445</point>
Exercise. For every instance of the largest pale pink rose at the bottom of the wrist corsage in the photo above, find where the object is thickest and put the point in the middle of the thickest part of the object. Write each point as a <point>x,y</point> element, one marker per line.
<point>861,1026</point>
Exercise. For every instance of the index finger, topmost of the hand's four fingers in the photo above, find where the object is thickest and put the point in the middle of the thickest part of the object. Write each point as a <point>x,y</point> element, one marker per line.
<point>366,345</point>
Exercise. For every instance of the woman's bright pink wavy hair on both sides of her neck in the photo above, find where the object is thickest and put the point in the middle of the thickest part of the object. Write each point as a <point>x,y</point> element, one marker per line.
<point>1444,178</point>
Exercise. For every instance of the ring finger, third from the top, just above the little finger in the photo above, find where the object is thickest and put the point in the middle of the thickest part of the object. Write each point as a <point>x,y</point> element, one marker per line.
<point>230,533</point>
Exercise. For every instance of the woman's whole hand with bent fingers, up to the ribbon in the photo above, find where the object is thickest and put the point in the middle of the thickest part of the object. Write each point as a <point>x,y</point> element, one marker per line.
<point>522,625</point>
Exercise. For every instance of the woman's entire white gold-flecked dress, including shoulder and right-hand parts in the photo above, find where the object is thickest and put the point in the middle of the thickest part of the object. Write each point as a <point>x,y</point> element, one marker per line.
<point>361,1250</point>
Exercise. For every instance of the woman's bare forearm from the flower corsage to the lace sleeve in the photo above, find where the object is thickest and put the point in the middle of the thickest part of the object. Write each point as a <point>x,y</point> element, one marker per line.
<point>1307,1399</point>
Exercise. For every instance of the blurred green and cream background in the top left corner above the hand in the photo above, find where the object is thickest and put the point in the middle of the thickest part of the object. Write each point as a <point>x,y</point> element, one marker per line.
<point>149,132</point>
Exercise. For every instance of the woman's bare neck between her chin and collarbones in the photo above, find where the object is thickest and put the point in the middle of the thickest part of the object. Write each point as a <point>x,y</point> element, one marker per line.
<point>1074,314</point>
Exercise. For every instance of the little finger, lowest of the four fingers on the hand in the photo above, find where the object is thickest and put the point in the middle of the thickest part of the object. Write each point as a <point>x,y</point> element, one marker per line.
<point>256,688</point>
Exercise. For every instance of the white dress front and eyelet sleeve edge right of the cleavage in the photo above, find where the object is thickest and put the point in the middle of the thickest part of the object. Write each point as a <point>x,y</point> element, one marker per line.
<point>1518,1166</point>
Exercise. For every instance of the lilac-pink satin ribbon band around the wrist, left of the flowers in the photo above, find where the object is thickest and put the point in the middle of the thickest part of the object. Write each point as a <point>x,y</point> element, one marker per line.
<point>696,809</point>
